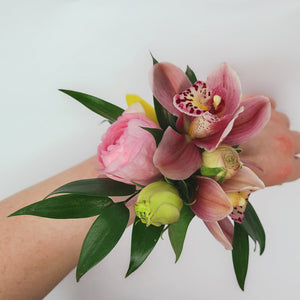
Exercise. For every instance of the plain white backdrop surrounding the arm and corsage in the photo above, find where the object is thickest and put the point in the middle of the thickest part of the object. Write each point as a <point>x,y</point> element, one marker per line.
<point>102,48</point>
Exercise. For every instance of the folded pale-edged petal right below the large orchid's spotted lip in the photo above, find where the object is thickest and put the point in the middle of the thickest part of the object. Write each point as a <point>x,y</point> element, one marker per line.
<point>221,128</point>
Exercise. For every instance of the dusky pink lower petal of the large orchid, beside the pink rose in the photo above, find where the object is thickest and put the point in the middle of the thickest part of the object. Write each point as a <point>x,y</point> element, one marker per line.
<point>176,157</point>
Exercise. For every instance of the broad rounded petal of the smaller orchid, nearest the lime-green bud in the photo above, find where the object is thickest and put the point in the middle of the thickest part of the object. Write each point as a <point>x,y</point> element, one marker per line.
<point>211,203</point>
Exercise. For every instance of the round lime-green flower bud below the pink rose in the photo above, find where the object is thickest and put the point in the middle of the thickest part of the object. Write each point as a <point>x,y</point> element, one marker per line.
<point>158,203</point>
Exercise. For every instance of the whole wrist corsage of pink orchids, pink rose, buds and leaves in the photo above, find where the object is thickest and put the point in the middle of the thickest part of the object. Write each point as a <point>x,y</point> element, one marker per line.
<point>172,162</point>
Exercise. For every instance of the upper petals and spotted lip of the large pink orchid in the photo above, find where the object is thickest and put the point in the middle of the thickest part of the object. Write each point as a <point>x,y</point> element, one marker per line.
<point>209,112</point>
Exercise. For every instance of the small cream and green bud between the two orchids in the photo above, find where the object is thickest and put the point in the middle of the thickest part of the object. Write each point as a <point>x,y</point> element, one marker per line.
<point>220,164</point>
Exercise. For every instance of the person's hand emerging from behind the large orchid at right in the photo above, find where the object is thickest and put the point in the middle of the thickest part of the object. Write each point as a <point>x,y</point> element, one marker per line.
<point>272,153</point>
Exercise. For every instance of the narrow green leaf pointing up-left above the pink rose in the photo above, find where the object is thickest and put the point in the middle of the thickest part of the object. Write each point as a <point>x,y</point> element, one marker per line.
<point>99,106</point>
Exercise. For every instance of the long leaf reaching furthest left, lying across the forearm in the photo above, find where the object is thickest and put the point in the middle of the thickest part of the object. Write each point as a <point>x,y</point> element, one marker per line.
<point>66,207</point>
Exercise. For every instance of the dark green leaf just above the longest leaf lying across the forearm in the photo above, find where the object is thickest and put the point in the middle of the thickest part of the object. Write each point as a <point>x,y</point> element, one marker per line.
<point>96,187</point>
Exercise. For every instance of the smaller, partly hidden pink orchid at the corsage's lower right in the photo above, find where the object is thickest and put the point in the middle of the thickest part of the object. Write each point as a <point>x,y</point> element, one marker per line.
<point>215,202</point>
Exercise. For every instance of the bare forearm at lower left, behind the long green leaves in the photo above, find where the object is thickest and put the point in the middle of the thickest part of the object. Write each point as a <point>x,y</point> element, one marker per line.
<point>37,253</point>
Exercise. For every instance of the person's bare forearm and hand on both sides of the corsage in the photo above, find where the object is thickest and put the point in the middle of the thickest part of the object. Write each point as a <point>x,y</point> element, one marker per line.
<point>37,253</point>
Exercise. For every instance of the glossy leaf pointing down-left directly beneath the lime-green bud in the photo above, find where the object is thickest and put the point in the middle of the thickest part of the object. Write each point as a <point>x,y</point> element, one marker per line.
<point>143,240</point>
